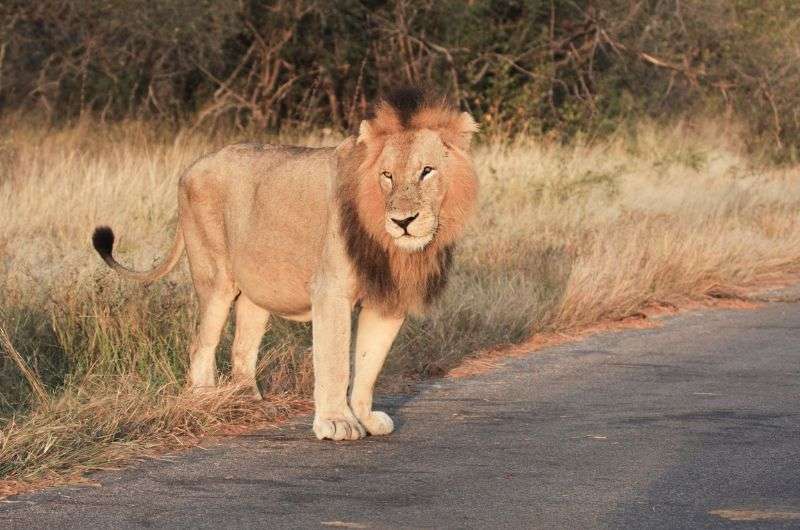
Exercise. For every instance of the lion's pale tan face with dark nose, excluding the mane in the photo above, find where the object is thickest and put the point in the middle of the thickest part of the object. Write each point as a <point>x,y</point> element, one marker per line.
<point>411,171</point>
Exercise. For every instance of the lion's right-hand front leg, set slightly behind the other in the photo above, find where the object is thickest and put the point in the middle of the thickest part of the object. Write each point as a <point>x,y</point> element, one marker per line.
<point>376,333</point>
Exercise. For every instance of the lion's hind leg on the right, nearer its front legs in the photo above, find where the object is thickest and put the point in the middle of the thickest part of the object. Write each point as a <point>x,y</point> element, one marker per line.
<point>251,322</point>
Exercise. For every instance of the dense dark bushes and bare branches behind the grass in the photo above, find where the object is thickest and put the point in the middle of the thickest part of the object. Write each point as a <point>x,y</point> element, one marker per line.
<point>532,66</point>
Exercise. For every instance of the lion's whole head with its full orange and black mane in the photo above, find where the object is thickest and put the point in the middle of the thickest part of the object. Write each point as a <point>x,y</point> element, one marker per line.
<point>407,187</point>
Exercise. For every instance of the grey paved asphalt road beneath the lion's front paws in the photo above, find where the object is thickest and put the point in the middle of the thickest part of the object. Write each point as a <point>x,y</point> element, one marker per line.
<point>654,428</point>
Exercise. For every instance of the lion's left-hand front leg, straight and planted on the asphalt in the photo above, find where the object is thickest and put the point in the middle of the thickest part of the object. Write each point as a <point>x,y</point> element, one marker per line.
<point>333,418</point>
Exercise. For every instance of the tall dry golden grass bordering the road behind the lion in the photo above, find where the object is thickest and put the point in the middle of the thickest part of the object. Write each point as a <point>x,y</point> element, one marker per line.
<point>567,236</point>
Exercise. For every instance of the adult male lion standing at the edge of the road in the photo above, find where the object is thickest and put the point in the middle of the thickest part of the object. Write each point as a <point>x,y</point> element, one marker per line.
<point>308,233</point>
